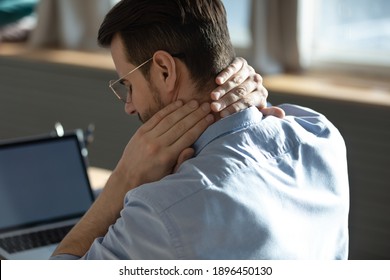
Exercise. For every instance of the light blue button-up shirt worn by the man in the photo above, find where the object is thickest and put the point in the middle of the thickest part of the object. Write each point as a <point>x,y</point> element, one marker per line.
<point>258,188</point>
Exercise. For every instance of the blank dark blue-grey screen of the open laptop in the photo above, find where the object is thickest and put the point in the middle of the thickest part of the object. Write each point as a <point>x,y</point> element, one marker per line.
<point>42,180</point>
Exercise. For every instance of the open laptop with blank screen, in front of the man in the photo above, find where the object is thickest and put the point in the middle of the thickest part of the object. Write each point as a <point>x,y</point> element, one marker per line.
<point>44,191</point>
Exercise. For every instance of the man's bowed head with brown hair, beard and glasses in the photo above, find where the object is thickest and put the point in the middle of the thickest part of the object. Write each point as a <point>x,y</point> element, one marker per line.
<point>187,37</point>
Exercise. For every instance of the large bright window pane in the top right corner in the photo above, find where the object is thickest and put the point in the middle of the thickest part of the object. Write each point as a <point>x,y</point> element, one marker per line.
<point>348,34</point>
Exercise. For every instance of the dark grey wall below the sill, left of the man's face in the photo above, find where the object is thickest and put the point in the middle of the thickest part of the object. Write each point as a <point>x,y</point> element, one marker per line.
<point>34,95</point>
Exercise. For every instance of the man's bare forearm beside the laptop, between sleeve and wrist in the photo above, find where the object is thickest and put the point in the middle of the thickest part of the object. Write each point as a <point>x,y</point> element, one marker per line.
<point>95,223</point>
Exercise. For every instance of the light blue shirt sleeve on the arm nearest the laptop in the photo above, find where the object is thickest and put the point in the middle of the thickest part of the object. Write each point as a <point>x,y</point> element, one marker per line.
<point>142,232</point>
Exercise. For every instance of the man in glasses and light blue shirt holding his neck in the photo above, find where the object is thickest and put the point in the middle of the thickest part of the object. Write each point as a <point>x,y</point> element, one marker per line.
<point>255,188</point>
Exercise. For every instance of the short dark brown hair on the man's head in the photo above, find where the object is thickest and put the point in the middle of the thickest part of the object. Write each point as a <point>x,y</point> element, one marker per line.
<point>197,29</point>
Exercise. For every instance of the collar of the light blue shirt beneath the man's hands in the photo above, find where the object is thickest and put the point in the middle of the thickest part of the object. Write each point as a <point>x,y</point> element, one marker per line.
<point>228,125</point>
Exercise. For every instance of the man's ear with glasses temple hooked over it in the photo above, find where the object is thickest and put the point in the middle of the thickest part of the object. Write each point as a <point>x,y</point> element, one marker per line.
<point>164,71</point>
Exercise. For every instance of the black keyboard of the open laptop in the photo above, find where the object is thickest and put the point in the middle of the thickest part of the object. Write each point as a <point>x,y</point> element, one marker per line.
<point>32,240</point>
